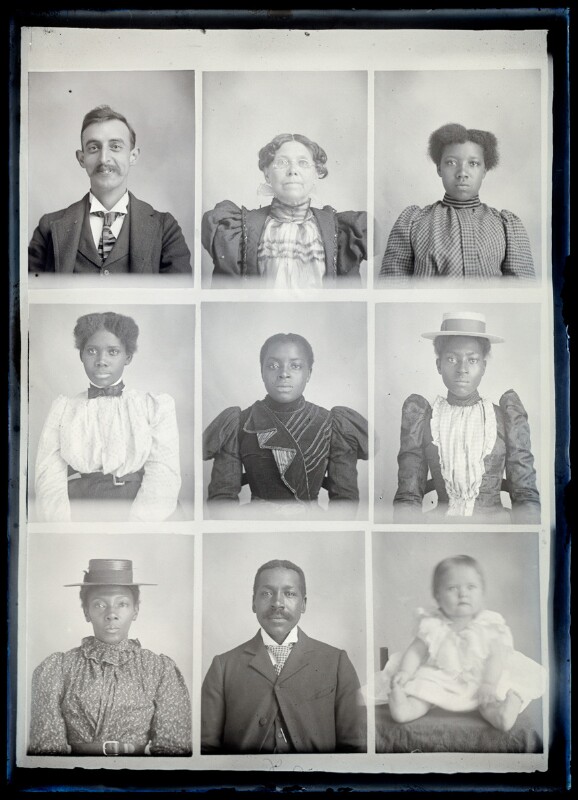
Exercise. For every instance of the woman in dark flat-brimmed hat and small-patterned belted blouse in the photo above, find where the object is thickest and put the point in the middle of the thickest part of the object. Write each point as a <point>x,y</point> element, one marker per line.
<point>109,696</point>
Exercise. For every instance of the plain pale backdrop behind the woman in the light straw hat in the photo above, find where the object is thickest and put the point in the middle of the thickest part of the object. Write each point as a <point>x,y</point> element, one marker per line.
<point>405,363</point>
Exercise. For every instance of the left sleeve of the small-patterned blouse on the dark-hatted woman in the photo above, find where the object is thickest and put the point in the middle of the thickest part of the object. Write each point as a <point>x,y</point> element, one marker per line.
<point>47,726</point>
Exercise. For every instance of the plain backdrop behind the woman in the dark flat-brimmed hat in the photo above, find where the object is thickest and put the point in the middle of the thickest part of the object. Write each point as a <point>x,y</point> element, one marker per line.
<point>55,619</point>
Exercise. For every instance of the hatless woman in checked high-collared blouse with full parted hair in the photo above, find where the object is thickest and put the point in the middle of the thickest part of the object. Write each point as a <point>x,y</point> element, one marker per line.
<point>459,236</point>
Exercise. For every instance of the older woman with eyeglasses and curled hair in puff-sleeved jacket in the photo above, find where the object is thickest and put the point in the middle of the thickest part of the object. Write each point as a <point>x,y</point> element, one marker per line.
<point>288,244</point>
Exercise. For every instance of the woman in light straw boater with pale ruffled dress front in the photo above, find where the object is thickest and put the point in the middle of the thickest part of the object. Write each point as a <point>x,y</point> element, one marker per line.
<point>463,441</point>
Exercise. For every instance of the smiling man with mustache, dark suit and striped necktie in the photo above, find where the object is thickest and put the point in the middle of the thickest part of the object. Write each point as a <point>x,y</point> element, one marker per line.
<point>109,231</point>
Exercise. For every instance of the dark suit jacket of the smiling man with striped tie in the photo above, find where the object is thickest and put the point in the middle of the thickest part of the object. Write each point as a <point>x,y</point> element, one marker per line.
<point>156,240</point>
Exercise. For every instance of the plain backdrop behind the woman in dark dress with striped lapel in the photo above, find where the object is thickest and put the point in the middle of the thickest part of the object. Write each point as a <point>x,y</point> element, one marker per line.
<point>232,337</point>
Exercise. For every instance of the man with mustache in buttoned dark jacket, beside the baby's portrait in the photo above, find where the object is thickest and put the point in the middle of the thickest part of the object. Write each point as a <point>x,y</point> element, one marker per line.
<point>281,692</point>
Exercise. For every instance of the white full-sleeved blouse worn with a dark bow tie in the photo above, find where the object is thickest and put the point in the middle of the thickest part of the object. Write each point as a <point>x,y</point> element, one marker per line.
<point>116,436</point>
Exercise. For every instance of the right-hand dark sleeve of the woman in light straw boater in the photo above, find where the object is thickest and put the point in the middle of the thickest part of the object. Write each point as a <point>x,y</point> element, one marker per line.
<point>520,472</point>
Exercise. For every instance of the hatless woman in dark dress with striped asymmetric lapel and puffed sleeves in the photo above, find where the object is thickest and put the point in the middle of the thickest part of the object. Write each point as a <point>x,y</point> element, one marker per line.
<point>285,447</point>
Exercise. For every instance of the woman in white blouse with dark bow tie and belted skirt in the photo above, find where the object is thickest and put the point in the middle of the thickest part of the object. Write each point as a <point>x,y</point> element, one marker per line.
<point>109,444</point>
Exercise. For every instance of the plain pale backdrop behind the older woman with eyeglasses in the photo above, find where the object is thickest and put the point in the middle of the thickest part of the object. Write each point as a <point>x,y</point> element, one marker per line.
<point>243,111</point>
